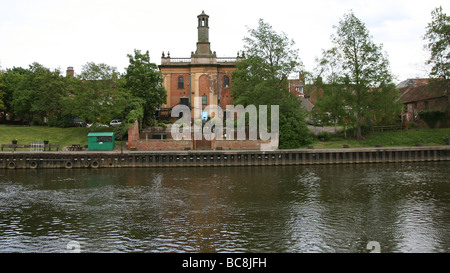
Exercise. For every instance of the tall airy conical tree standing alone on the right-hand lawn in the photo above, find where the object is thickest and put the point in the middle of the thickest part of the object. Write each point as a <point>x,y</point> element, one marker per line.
<point>363,69</point>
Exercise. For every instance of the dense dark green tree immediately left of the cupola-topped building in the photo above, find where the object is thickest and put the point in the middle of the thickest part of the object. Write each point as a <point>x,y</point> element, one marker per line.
<point>144,80</point>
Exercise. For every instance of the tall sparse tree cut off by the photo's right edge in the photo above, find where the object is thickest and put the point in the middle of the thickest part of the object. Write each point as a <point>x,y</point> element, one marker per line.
<point>438,36</point>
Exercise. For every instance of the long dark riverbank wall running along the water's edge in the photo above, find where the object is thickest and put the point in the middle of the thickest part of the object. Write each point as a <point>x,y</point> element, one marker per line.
<point>204,158</point>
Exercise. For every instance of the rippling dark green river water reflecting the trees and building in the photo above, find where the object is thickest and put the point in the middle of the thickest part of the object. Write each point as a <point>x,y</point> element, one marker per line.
<point>320,208</point>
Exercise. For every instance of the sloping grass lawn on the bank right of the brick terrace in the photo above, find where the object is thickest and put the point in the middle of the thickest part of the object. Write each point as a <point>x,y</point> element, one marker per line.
<point>389,138</point>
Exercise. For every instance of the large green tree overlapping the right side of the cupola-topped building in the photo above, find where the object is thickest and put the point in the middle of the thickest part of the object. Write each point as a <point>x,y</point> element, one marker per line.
<point>261,79</point>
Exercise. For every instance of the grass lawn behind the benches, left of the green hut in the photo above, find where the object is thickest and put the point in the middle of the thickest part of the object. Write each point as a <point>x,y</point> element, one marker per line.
<point>29,134</point>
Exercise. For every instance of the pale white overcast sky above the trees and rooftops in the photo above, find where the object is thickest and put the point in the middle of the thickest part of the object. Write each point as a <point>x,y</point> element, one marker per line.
<point>58,34</point>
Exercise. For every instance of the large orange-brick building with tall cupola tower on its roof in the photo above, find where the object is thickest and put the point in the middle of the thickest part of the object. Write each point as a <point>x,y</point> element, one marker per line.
<point>203,74</point>
